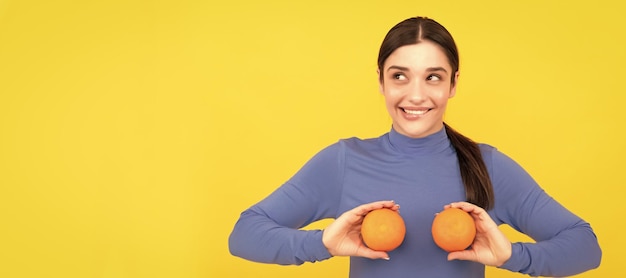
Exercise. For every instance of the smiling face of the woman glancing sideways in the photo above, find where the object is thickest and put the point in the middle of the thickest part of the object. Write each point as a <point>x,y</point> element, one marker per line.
<point>416,85</point>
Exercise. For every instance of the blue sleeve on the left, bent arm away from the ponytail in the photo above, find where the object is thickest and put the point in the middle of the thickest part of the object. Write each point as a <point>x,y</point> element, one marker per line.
<point>269,232</point>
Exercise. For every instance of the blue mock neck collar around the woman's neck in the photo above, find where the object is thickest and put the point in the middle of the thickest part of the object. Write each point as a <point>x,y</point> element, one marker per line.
<point>434,143</point>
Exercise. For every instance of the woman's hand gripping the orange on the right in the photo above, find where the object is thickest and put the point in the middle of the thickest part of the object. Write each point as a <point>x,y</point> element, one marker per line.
<point>490,247</point>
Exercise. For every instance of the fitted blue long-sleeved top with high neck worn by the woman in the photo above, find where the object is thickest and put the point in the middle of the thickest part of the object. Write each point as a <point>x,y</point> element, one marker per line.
<point>422,176</point>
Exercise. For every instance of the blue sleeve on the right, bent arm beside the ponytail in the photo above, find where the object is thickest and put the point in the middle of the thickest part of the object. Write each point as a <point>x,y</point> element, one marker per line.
<point>564,243</point>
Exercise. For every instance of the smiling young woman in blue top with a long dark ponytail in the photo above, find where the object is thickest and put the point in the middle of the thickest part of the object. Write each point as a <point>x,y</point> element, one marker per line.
<point>424,165</point>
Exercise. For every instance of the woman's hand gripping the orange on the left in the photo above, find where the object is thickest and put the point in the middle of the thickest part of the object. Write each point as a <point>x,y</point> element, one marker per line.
<point>343,236</point>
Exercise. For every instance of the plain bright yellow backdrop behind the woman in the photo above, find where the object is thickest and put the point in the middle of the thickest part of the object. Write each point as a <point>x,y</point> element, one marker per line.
<point>133,133</point>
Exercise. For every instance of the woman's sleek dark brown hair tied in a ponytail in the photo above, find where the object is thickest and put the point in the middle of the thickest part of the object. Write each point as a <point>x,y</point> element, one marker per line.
<point>478,187</point>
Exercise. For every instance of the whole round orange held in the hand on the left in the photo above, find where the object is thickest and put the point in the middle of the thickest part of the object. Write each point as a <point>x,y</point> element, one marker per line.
<point>383,229</point>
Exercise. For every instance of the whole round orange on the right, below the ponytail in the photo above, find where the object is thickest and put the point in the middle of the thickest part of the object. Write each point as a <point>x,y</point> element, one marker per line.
<point>453,229</point>
